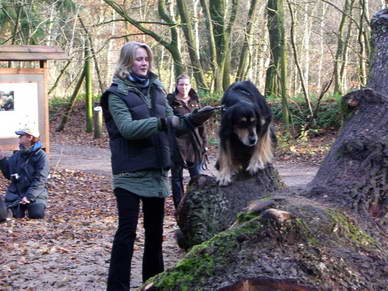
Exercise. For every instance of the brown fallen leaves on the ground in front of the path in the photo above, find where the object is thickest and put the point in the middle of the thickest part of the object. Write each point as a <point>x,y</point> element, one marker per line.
<point>70,248</point>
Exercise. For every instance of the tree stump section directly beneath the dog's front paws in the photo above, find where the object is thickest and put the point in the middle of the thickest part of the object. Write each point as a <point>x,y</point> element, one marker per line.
<point>208,209</point>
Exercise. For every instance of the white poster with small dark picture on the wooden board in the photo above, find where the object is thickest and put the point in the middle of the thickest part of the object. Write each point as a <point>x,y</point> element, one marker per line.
<point>18,107</point>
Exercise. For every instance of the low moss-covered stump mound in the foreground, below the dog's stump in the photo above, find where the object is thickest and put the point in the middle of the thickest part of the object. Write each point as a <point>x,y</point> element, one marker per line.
<point>303,246</point>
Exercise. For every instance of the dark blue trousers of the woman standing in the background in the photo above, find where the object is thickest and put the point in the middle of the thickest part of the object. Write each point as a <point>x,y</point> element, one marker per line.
<point>177,180</point>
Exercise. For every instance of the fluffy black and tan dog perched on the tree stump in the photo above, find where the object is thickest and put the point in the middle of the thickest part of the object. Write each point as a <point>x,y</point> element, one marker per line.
<point>245,133</point>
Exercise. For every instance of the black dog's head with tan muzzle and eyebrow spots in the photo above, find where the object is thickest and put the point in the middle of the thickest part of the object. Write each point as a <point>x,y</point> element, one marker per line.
<point>242,120</point>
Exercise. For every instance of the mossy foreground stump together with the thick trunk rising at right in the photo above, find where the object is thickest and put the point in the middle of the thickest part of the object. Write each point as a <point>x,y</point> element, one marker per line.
<point>330,236</point>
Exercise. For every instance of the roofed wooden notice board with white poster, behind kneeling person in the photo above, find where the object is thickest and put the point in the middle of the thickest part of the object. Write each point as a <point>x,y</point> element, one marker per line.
<point>23,93</point>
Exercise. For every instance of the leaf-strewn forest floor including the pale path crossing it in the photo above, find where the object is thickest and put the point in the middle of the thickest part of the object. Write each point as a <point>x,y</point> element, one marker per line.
<point>70,248</point>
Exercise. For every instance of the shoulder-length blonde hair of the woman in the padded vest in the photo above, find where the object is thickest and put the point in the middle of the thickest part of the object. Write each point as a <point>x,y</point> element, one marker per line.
<point>127,57</point>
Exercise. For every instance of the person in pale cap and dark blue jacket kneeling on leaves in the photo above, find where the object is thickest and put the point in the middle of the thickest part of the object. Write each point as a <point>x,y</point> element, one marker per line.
<point>28,171</point>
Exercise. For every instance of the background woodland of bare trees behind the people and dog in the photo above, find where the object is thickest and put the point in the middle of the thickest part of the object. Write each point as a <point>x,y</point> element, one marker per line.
<point>299,53</point>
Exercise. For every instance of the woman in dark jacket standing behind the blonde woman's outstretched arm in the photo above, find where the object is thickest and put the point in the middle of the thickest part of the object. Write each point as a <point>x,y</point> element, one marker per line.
<point>191,146</point>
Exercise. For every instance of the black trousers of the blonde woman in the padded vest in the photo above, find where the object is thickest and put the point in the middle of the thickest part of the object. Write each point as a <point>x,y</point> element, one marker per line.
<point>120,263</point>
